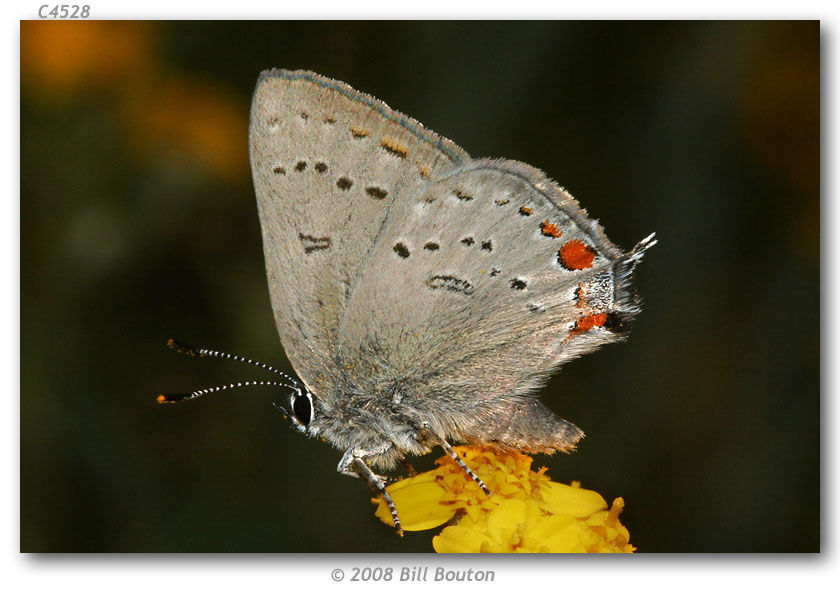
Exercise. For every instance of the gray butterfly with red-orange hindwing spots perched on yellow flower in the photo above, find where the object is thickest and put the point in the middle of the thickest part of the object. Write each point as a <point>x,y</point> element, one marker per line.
<point>422,296</point>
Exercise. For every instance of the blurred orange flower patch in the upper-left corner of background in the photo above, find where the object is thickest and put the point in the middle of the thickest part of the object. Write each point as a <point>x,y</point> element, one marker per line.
<point>164,116</point>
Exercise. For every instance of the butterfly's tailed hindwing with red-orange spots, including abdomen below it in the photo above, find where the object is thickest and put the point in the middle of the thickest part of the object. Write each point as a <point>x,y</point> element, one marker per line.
<point>486,282</point>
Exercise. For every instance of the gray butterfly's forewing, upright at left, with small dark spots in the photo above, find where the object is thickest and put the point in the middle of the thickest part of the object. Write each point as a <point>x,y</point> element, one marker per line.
<point>328,163</point>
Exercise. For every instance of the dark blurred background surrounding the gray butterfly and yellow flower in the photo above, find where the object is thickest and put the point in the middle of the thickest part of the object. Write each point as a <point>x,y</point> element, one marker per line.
<point>138,222</point>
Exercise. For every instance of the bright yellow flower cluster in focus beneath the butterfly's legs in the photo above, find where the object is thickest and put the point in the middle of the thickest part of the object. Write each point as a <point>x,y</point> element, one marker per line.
<point>525,512</point>
